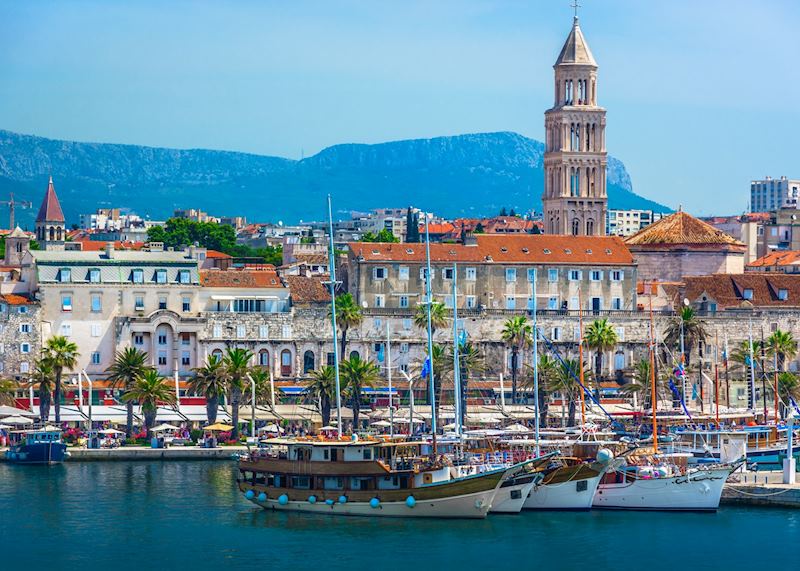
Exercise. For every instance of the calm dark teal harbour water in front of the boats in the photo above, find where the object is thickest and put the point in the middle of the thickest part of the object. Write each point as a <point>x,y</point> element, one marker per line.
<point>188,515</point>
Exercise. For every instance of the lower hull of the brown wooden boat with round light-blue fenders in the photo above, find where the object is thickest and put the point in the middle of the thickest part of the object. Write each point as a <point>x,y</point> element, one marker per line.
<point>467,506</point>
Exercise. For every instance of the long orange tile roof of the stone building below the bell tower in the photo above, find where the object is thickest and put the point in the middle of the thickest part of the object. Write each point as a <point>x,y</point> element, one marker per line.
<point>506,248</point>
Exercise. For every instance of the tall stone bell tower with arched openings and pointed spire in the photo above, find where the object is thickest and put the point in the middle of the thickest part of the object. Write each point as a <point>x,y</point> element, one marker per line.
<point>574,200</point>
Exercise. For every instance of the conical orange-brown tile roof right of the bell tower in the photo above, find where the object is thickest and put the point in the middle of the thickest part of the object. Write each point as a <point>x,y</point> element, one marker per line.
<point>682,229</point>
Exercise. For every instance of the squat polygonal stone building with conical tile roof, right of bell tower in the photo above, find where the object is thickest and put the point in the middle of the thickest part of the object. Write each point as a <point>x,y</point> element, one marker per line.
<point>681,245</point>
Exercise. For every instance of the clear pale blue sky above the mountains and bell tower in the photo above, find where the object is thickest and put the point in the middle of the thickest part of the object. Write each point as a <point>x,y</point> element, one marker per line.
<point>701,96</point>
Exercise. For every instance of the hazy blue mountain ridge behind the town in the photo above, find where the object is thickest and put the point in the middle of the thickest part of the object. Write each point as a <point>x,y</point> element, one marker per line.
<point>486,171</point>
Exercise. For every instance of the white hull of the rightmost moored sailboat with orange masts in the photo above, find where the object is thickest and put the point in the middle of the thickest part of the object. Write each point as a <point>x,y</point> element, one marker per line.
<point>699,491</point>
